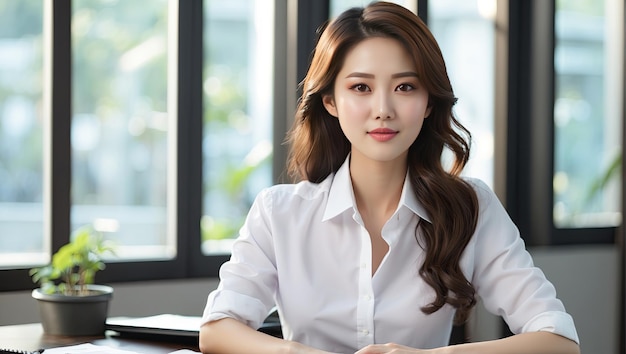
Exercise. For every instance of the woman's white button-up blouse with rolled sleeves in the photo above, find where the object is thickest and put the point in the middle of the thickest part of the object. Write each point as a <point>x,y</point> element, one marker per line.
<point>304,249</point>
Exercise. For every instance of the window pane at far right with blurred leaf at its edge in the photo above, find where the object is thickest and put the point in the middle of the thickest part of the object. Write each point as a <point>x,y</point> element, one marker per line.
<point>587,113</point>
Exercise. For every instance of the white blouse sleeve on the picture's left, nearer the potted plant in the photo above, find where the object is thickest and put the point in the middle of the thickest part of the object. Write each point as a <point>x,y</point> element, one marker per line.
<point>248,279</point>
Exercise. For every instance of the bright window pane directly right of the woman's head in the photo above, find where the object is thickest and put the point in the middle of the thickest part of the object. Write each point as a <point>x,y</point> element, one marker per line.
<point>465,32</point>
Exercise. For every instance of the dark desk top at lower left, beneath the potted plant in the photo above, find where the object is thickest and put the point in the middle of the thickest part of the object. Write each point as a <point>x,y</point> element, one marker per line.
<point>31,337</point>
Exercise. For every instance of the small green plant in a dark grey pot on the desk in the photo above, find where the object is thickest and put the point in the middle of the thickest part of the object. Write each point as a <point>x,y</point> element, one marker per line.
<point>69,301</point>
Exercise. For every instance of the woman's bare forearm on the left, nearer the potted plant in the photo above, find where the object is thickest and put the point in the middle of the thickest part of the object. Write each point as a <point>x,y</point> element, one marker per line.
<point>231,336</point>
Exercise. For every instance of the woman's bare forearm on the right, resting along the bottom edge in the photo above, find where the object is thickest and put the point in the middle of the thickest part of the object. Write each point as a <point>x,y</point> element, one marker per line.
<point>525,343</point>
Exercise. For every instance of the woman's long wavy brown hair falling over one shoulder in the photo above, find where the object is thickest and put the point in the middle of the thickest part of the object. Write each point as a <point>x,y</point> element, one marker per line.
<point>318,146</point>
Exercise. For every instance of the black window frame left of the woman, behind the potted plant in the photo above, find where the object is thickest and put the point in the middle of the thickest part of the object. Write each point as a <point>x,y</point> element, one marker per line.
<point>190,262</point>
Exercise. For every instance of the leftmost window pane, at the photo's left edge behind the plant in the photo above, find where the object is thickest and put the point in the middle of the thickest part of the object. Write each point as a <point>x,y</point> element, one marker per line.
<point>21,134</point>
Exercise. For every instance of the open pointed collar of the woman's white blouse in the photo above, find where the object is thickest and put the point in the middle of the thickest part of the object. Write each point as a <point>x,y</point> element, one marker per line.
<point>341,195</point>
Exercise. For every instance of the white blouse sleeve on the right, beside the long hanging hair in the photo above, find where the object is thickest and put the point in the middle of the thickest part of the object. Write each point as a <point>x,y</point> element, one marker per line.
<point>505,277</point>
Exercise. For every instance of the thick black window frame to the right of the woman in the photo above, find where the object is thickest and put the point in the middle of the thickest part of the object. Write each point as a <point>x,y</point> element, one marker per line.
<point>530,130</point>
